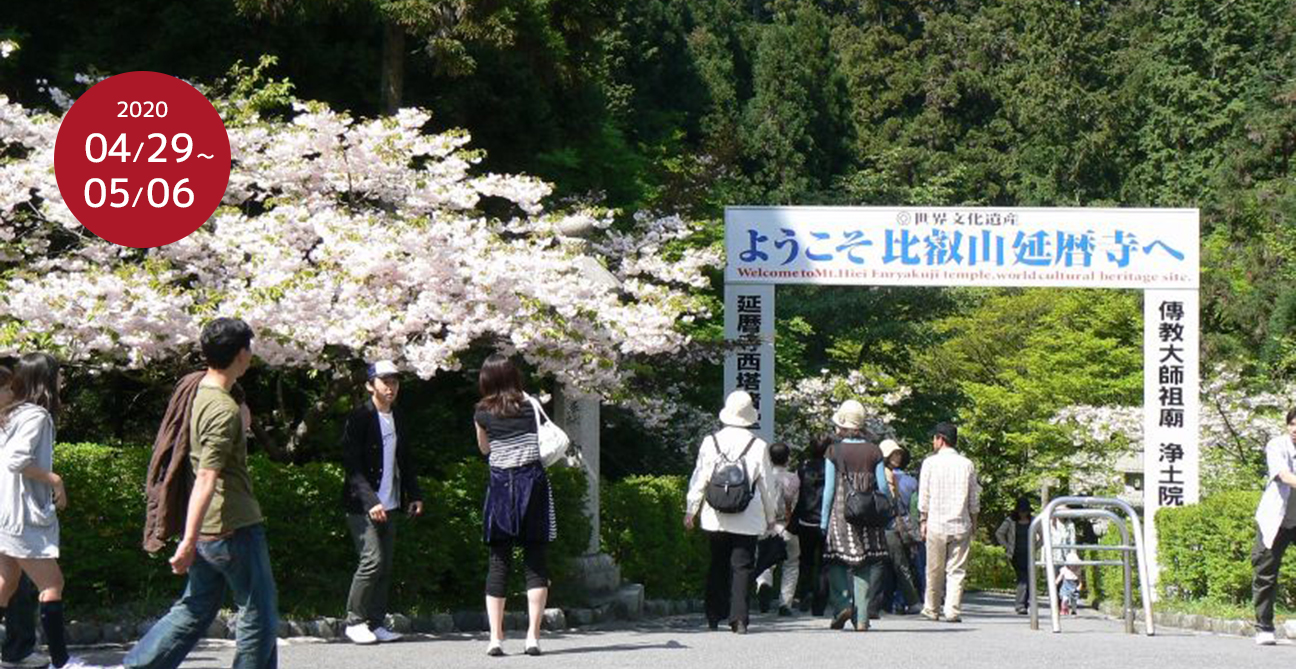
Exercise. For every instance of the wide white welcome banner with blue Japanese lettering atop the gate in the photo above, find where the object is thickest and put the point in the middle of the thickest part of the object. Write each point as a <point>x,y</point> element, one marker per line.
<point>1005,247</point>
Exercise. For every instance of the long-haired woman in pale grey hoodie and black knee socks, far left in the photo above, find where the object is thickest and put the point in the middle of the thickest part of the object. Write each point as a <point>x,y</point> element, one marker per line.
<point>32,496</point>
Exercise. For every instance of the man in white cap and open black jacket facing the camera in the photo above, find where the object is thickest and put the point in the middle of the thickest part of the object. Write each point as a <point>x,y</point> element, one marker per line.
<point>382,480</point>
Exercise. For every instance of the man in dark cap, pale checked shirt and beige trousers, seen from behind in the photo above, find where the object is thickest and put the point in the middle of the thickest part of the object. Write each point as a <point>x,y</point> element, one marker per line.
<point>949,500</point>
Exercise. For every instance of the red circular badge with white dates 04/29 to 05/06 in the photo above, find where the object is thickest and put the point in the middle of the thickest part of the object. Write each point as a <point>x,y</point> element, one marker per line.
<point>142,160</point>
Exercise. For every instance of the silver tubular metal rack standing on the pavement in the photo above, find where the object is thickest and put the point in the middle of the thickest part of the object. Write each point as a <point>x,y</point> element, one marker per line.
<point>1091,508</point>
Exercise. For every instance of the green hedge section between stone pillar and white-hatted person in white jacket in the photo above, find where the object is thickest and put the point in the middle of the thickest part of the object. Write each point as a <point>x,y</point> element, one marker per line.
<point>643,531</point>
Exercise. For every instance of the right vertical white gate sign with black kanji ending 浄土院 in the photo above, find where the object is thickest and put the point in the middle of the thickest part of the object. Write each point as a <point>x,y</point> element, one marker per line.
<point>1171,404</point>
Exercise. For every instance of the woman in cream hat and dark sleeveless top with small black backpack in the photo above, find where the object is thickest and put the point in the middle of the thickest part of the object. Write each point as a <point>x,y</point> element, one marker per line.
<point>855,554</point>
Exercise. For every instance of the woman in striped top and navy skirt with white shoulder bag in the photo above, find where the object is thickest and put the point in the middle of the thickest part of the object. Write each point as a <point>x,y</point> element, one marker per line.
<point>519,509</point>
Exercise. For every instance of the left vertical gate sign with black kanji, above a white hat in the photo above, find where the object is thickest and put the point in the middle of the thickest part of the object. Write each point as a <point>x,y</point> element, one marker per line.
<point>750,361</point>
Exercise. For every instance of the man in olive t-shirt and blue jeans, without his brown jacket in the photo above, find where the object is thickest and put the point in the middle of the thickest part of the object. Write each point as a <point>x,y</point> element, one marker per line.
<point>225,541</point>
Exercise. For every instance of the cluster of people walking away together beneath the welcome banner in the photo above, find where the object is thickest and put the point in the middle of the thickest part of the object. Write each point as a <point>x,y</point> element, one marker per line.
<point>859,534</point>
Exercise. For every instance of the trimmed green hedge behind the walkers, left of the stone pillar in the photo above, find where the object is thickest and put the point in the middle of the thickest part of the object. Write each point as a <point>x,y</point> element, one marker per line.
<point>440,563</point>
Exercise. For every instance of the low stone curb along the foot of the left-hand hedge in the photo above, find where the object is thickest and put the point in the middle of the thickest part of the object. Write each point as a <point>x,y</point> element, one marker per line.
<point>81,633</point>
